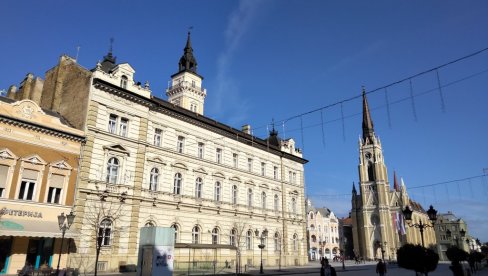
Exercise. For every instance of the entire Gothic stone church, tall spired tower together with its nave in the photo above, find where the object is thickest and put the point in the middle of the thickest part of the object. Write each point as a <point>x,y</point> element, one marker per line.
<point>378,225</point>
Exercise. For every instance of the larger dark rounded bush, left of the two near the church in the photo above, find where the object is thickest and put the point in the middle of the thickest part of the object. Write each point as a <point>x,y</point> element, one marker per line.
<point>417,258</point>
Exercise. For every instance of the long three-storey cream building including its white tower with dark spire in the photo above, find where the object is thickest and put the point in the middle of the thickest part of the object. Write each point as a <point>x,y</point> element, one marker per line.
<point>151,162</point>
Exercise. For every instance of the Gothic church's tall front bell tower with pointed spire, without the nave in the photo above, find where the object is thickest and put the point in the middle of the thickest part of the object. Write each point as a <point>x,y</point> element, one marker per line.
<point>373,232</point>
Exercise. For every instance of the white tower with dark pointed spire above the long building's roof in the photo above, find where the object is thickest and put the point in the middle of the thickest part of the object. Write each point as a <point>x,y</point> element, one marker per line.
<point>186,85</point>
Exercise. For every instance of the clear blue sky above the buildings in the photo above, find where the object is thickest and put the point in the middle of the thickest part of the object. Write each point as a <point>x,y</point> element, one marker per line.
<point>265,60</point>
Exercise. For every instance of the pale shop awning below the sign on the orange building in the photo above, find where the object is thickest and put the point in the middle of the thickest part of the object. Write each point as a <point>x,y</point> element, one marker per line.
<point>29,228</point>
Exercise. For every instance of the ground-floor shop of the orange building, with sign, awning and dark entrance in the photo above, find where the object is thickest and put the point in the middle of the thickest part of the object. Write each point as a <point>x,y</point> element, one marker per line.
<point>30,234</point>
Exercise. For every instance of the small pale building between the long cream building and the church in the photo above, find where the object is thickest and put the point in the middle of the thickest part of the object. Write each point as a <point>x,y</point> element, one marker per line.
<point>323,233</point>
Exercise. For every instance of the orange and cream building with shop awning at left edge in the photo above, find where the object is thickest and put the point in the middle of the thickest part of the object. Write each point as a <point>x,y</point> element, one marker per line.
<point>39,156</point>
